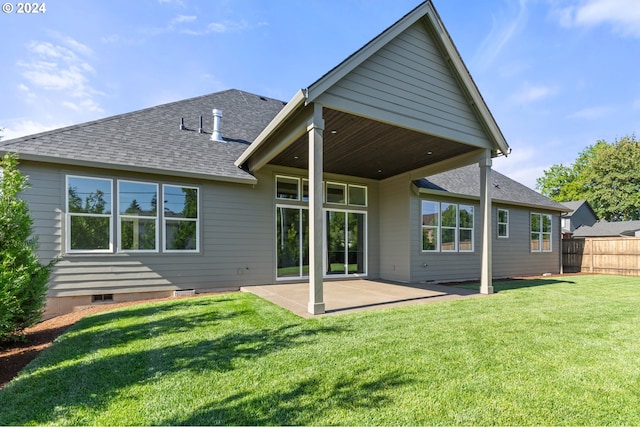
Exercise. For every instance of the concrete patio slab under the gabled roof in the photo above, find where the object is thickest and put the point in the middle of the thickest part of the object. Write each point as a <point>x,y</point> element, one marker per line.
<point>355,295</point>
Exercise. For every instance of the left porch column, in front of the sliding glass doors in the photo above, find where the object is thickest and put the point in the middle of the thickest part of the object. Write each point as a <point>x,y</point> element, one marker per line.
<point>315,130</point>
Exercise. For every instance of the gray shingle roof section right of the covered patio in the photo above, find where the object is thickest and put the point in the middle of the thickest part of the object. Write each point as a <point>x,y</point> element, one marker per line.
<point>465,182</point>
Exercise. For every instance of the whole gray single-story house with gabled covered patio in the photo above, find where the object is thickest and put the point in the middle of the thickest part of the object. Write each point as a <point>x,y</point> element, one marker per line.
<point>380,169</point>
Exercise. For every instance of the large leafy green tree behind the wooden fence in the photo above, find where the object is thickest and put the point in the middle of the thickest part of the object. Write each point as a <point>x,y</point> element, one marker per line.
<point>606,175</point>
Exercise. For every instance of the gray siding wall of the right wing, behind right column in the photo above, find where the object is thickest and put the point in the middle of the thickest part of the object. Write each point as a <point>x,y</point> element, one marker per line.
<point>511,256</point>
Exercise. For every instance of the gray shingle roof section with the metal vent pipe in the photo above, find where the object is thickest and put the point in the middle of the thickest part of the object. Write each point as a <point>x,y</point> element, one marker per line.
<point>151,140</point>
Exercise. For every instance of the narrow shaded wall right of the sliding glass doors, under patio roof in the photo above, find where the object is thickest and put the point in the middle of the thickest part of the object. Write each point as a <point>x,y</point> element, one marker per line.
<point>394,230</point>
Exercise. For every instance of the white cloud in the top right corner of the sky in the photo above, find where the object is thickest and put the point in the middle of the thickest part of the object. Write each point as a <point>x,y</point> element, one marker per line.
<point>622,15</point>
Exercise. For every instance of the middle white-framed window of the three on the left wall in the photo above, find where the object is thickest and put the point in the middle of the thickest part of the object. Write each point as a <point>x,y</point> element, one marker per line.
<point>137,216</point>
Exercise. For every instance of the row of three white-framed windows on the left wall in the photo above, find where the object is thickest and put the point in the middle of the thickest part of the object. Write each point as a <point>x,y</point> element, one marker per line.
<point>92,208</point>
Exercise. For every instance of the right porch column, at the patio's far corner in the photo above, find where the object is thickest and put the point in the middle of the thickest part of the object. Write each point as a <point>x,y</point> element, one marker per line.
<point>486,283</point>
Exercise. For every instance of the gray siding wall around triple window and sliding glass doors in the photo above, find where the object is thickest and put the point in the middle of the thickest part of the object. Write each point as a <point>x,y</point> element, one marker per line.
<point>237,246</point>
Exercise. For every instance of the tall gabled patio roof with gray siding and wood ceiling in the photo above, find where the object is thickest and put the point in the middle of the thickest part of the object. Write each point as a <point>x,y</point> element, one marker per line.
<point>396,135</point>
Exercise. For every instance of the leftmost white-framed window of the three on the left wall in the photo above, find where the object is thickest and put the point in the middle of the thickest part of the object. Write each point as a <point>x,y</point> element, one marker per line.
<point>89,214</point>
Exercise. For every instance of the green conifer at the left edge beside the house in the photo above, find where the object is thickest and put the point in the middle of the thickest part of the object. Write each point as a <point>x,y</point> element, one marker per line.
<point>23,280</point>
